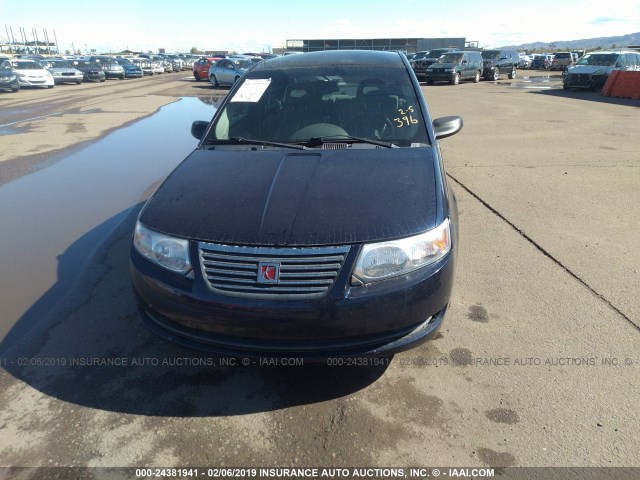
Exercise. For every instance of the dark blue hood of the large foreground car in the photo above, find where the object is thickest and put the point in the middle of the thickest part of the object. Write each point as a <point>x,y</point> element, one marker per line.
<point>276,197</point>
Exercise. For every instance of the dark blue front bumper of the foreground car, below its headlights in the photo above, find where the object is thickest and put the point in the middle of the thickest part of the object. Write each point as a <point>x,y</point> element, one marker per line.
<point>374,320</point>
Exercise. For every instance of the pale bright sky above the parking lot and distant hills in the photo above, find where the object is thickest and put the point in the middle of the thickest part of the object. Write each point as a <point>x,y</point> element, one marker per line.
<point>250,25</point>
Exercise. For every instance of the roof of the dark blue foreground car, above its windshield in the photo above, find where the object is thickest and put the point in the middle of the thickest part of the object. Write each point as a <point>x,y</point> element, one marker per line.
<point>333,57</point>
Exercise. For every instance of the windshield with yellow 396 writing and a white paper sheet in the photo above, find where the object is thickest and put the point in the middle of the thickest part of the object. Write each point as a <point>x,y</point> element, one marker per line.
<point>299,104</point>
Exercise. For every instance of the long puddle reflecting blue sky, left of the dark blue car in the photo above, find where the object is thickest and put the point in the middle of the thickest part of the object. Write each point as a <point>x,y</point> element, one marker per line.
<point>44,213</point>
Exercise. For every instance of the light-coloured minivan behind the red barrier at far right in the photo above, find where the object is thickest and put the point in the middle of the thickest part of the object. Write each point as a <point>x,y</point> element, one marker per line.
<point>592,70</point>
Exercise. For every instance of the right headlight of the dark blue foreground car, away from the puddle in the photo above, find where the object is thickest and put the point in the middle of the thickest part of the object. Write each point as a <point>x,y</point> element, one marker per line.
<point>379,261</point>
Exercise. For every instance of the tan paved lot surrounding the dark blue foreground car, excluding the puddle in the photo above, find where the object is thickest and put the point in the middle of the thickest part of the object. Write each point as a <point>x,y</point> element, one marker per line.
<point>537,364</point>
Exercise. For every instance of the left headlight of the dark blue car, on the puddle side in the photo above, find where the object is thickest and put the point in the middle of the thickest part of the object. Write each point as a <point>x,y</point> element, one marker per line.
<point>163,250</point>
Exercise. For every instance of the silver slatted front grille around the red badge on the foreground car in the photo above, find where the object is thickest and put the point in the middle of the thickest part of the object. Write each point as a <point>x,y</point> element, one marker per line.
<point>303,272</point>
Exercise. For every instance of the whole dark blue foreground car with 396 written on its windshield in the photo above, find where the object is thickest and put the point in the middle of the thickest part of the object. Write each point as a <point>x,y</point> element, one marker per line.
<point>310,255</point>
